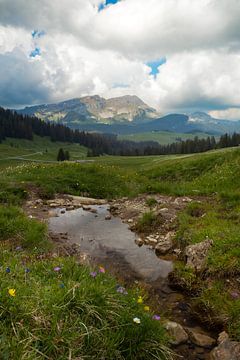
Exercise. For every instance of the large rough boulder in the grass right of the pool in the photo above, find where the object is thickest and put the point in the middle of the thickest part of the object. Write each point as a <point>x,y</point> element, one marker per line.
<point>196,254</point>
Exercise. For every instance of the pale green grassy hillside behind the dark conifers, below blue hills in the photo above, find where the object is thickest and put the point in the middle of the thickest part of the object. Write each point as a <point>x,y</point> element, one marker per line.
<point>162,137</point>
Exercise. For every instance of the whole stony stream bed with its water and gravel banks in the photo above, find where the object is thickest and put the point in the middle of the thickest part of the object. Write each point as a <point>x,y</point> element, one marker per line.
<point>105,237</point>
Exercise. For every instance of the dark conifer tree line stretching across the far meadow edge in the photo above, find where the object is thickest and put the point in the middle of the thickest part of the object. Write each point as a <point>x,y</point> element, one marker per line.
<point>14,125</point>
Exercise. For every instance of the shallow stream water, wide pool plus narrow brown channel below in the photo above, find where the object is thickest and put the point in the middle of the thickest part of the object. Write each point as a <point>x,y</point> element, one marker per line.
<point>109,242</point>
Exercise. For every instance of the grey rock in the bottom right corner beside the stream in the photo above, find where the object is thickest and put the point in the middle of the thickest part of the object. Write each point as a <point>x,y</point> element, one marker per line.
<point>227,350</point>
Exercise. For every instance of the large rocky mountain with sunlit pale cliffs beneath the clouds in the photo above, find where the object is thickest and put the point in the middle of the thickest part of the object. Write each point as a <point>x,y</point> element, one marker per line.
<point>94,110</point>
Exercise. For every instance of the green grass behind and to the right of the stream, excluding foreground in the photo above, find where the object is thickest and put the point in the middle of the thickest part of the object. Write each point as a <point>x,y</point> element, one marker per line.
<point>213,176</point>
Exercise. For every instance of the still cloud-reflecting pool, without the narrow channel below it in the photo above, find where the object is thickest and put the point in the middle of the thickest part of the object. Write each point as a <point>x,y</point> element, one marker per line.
<point>110,242</point>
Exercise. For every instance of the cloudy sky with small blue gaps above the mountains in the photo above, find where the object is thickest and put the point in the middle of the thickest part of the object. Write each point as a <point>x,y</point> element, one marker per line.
<point>176,55</point>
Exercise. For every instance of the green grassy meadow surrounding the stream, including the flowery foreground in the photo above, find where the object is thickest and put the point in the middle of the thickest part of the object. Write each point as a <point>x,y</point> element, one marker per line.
<point>213,176</point>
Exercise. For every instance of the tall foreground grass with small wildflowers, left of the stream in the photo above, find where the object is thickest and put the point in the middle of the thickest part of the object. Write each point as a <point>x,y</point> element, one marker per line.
<point>60,311</point>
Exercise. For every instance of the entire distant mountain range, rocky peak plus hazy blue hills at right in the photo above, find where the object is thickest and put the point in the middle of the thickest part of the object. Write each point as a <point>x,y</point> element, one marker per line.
<point>126,115</point>
